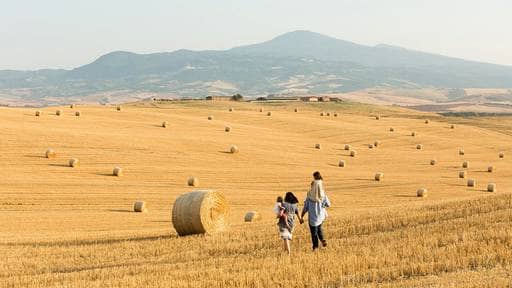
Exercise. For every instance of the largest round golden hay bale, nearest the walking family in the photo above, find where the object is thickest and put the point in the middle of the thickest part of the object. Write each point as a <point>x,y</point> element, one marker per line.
<point>200,212</point>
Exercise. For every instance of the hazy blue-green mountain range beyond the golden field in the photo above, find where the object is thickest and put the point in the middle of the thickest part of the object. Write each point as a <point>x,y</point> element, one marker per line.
<point>298,62</point>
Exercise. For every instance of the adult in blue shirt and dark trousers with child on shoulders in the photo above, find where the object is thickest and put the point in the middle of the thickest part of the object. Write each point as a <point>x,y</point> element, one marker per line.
<point>315,205</point>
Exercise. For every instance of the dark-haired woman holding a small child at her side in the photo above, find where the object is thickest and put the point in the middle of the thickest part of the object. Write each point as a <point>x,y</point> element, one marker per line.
<point>286,224</point>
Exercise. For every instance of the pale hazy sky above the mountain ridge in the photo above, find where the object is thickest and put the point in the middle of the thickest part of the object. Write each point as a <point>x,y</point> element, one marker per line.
<point>68,33</point>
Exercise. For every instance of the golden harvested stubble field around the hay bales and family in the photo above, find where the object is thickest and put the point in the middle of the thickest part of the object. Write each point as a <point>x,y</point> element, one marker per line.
<point>75,227</point>
